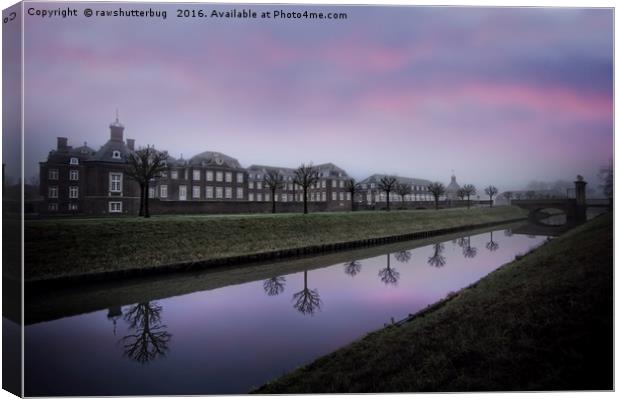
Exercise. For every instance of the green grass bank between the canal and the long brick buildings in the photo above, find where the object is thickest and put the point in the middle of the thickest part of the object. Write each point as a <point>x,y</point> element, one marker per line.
<point>58,248</point>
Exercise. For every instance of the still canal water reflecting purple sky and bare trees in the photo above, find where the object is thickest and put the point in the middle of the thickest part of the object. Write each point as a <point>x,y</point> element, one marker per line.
<point>234,338</point>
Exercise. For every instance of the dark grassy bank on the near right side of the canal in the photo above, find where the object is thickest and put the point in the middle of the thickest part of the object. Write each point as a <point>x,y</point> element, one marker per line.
<point>544,322</point>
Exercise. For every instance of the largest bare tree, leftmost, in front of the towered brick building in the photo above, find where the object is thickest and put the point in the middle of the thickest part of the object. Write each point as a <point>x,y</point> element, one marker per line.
<point>145,164</point>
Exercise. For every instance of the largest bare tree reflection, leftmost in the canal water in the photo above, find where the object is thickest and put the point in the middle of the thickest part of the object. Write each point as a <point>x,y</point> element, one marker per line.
<point>150,339</point>
